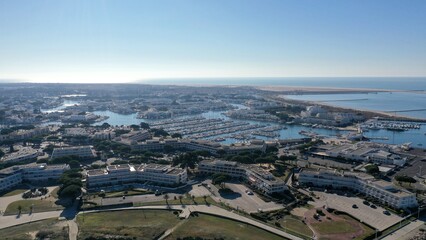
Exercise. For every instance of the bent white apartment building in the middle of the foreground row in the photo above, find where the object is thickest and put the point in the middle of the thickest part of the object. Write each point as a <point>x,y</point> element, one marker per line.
<point>254,175</point>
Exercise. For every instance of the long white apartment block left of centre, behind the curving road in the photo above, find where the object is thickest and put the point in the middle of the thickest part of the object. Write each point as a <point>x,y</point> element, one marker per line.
<point>155,174</point>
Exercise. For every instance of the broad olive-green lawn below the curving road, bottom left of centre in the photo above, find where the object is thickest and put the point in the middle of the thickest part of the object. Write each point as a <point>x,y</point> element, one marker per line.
<point>137,224</point>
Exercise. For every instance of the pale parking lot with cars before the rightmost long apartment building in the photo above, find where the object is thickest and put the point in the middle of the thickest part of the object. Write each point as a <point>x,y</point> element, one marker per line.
<point>373,217</point>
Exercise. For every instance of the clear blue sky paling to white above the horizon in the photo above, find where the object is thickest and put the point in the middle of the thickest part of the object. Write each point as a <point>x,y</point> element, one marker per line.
<point>123,41</point>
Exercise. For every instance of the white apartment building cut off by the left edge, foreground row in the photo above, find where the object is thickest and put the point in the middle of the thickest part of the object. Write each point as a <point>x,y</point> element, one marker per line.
<point>13,176</point>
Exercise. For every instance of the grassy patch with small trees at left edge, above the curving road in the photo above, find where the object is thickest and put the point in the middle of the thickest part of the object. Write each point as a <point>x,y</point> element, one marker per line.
<point>39,206</point>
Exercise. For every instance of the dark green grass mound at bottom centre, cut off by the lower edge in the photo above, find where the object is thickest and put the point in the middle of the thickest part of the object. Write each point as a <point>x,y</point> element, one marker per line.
<point>210,227</point>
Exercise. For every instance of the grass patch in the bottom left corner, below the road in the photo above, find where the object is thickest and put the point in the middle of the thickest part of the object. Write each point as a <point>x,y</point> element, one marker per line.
<point>27,231</point>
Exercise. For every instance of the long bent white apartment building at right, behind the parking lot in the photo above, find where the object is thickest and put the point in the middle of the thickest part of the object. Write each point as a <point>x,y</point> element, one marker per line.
<point>383,191</point>
